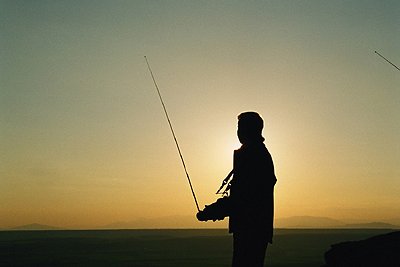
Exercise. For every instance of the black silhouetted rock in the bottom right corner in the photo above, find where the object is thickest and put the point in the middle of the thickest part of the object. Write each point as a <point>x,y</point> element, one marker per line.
<point>381,250</point>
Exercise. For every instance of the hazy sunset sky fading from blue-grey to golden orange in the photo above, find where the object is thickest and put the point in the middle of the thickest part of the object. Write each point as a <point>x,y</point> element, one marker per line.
<point>84,140</point>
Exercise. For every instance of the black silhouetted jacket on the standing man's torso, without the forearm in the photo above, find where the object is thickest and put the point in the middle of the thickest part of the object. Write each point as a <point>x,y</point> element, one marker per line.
<point>251,193</point>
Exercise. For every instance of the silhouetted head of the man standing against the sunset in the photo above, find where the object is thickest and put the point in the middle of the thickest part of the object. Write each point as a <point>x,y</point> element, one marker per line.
<point>250,126</point>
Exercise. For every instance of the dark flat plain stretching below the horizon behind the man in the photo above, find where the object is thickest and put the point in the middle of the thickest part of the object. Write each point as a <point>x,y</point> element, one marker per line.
<point>172,248</point>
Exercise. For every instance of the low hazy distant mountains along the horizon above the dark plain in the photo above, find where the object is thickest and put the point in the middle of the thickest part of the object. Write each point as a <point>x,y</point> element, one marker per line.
<point>171,222</point>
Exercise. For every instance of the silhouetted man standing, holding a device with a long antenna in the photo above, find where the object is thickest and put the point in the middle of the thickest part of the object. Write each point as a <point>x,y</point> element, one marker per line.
<point>250,205</point>
